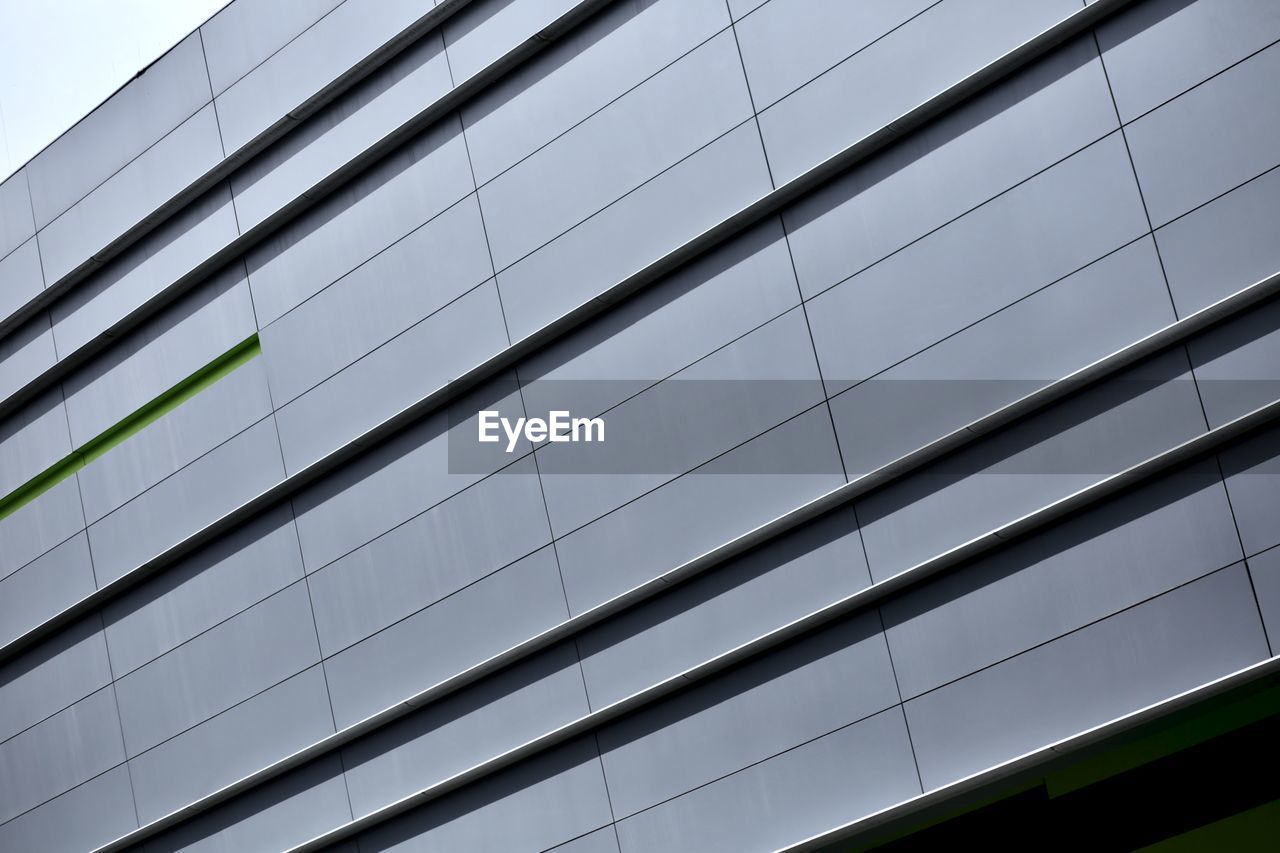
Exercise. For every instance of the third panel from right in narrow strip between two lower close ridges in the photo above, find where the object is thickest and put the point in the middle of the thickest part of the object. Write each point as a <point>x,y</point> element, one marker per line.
<point>714,614</point>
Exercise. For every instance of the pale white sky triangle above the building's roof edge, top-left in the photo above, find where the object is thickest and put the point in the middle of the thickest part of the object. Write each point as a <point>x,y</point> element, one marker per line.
<point>62,58</point>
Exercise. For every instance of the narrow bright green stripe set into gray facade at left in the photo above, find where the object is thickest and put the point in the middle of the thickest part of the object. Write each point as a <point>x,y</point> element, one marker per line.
<point>132,425</point>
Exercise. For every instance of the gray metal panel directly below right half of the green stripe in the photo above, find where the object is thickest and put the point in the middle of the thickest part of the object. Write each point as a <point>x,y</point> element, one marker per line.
<point>200,425</point>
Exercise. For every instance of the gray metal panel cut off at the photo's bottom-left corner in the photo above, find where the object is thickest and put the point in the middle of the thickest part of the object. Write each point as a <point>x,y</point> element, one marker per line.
<point>83,819</point>
